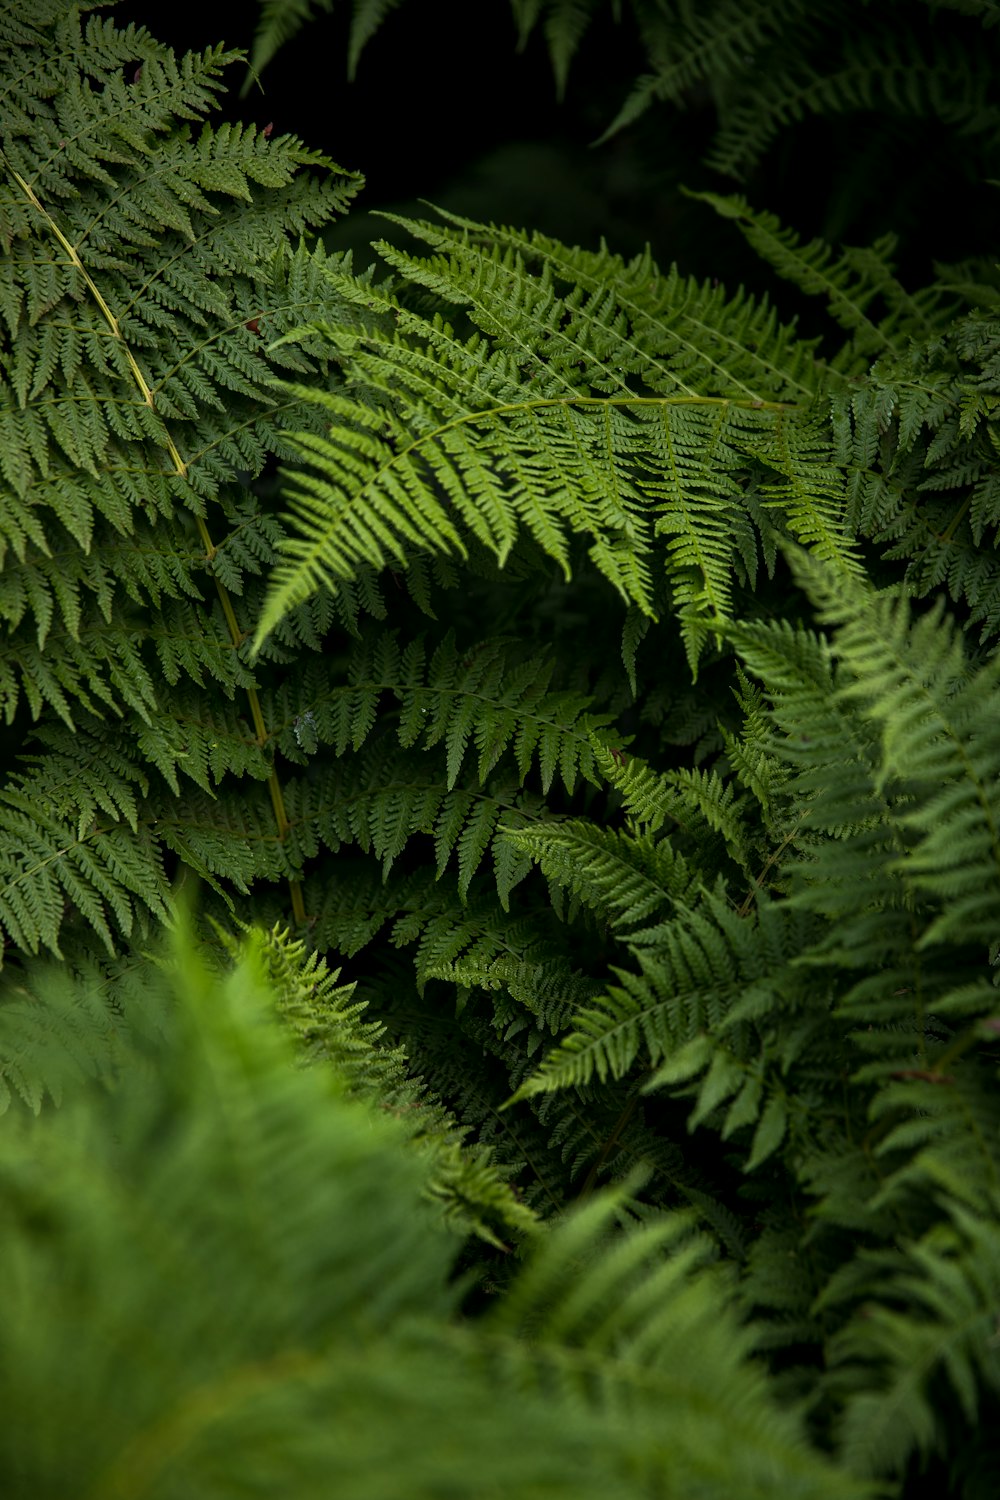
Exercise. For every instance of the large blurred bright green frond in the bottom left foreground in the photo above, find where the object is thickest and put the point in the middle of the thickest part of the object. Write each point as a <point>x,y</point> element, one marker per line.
<point>221,1066</point>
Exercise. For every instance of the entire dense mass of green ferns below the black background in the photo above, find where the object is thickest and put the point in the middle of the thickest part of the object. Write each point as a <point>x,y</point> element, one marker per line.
<point>569,749</point>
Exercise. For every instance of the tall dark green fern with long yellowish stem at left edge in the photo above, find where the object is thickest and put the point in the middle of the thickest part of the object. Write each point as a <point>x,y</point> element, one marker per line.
<point>142,259</point>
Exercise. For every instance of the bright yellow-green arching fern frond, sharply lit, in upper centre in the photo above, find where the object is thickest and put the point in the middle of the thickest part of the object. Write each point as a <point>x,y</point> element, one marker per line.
<point>548,422</point>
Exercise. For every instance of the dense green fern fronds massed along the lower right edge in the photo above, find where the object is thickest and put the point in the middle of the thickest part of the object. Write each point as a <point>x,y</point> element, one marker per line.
<point>849,1016</point>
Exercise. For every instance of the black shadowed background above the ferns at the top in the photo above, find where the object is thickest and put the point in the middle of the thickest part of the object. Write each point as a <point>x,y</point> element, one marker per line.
<point>469,122</point>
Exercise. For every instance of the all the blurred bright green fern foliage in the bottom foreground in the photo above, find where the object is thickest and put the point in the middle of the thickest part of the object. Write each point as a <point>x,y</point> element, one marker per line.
<point>221,1273</point>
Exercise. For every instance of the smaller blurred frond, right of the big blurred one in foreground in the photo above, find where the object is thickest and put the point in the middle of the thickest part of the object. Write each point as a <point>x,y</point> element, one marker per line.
<point>654,1298</point>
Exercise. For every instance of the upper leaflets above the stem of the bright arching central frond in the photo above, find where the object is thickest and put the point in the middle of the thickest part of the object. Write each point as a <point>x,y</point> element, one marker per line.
<point>567,305</point>
